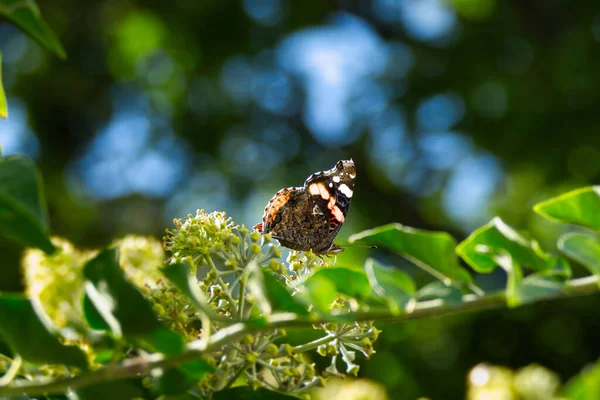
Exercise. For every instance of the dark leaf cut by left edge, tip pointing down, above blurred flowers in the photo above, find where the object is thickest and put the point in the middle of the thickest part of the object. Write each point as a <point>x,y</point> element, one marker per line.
<point>23,215</point>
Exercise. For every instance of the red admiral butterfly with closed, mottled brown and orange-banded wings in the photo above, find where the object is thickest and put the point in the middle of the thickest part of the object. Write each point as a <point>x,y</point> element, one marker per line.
<point>309,217</point>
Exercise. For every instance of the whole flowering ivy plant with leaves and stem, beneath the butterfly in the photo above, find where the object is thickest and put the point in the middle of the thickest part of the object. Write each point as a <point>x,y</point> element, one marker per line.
<point>204,313</point>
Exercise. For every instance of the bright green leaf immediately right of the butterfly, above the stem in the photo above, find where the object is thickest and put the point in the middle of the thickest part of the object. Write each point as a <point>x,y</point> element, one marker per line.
<point>434,252</point>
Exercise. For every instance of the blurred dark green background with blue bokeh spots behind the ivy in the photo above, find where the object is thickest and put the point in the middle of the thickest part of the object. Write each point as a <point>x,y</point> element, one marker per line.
<point>453,110</point>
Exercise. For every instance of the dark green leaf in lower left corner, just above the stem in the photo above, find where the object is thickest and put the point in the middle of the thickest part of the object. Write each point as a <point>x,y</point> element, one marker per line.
<point>26,335</point>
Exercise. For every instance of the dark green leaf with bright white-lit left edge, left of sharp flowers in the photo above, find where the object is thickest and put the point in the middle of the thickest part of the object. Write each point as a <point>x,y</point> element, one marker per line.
<point>123,308</point>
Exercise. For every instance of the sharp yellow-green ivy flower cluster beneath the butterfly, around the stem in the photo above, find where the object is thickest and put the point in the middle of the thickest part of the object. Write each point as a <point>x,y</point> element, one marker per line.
<point>221,254</point>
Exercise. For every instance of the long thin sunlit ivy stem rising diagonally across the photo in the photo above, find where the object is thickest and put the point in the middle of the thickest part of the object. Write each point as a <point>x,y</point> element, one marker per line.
<point>195,350</point>
